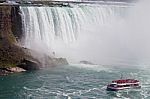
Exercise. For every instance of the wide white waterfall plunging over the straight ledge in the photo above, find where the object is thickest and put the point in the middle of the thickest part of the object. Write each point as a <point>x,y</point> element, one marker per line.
<point>77,32</point>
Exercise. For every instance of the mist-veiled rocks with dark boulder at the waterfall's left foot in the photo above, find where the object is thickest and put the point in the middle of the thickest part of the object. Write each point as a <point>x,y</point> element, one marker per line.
<point>35,60</point>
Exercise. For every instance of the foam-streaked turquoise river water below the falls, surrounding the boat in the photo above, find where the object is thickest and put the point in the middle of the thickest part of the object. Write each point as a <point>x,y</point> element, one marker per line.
<point>76,81</point>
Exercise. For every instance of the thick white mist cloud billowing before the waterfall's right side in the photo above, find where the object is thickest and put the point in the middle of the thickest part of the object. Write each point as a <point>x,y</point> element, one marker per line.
<point>124,39</point>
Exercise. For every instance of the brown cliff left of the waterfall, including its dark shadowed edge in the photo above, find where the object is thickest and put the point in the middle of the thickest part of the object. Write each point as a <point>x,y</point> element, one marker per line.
<point>11,54</point>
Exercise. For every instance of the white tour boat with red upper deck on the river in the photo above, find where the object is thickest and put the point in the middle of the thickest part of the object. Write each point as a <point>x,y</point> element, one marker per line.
<point>121,84</point>
